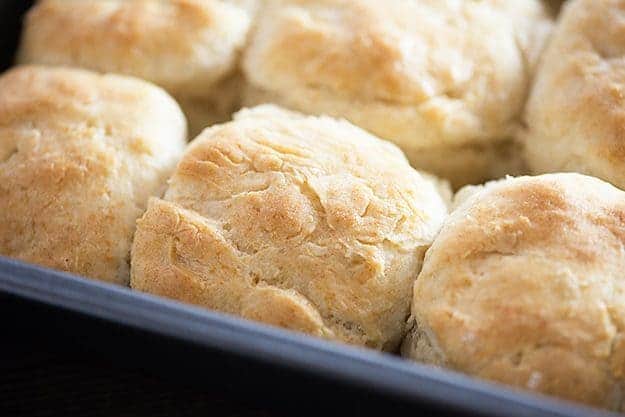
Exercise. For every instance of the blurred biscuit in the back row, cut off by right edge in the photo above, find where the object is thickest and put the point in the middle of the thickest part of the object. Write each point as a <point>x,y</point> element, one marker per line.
<point>576,112</point>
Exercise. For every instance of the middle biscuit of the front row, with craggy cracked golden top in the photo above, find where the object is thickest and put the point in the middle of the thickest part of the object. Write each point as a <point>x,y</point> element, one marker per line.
<point>308,223</point>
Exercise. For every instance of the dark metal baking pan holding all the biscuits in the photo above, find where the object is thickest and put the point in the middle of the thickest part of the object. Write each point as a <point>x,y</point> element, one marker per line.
<point>280,368</point>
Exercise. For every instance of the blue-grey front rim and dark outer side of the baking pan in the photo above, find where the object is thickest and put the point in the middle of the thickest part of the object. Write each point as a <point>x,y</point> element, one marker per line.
<point>201,337</point>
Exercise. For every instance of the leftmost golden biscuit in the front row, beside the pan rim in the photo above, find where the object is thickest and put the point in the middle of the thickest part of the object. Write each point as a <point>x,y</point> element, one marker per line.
<point>80,153</point>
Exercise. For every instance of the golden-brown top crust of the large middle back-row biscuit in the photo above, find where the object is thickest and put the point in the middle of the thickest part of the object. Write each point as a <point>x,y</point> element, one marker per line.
<point>473,55</point>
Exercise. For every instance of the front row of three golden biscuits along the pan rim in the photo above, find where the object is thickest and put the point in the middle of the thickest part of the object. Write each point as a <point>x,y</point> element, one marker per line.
<point>312,224</point>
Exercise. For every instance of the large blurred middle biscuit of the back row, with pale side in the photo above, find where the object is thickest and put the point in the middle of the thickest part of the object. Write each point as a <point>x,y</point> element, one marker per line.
<point>445,80</point>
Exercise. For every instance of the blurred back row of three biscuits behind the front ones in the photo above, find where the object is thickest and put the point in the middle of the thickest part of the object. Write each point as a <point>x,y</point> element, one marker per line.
<point>445,80</point>
